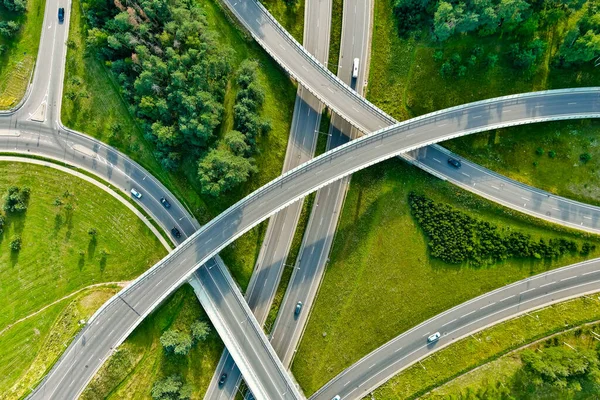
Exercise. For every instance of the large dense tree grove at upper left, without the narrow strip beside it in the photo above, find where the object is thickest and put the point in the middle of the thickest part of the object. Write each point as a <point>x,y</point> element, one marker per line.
<point>170,67</point>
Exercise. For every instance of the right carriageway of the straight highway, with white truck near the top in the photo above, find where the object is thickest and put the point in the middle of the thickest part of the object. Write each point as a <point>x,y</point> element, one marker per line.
<point>318,238</point>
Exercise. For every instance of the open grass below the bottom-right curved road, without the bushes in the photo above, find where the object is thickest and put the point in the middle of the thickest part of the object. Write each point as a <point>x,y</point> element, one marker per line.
<point>486,346</point>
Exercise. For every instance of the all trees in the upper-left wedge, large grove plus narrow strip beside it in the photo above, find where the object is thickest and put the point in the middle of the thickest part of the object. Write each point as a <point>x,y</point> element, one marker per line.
<point>174,74</point>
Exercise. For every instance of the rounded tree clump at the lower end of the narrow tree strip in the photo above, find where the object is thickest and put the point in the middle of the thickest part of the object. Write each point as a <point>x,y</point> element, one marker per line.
<point>221,170</point>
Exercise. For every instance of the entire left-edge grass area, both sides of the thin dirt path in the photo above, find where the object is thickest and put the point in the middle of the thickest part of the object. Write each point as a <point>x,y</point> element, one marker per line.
<point>58,257</point>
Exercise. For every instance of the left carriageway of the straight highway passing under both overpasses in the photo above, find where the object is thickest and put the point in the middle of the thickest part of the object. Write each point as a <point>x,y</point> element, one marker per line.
<point>282,226</point>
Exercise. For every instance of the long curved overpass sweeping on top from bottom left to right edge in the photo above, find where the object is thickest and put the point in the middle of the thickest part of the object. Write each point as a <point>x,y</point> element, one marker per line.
<point>118,317</point>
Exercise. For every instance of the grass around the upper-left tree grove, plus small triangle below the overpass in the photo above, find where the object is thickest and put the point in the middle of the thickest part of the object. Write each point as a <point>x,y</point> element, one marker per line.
<point>97,114</point>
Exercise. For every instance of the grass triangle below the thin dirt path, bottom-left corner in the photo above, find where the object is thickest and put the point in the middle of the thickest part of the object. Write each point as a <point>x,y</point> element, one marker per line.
<point>30,348</point>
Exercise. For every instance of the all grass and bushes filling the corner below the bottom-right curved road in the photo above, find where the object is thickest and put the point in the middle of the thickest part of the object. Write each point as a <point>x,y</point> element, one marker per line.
<point>520,374</point>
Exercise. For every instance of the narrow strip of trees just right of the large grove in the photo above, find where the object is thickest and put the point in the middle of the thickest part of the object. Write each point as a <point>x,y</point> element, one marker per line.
<point>226,167</point>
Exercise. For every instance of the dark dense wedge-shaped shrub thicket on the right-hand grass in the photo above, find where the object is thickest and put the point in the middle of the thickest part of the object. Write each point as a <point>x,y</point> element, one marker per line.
<point>456,237</point>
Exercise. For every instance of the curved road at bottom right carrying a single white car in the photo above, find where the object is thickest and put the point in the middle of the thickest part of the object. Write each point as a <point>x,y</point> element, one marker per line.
<point>507,302</point>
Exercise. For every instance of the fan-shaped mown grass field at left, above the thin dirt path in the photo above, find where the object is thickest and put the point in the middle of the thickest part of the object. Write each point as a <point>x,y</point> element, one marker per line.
<point>58,256</point>
